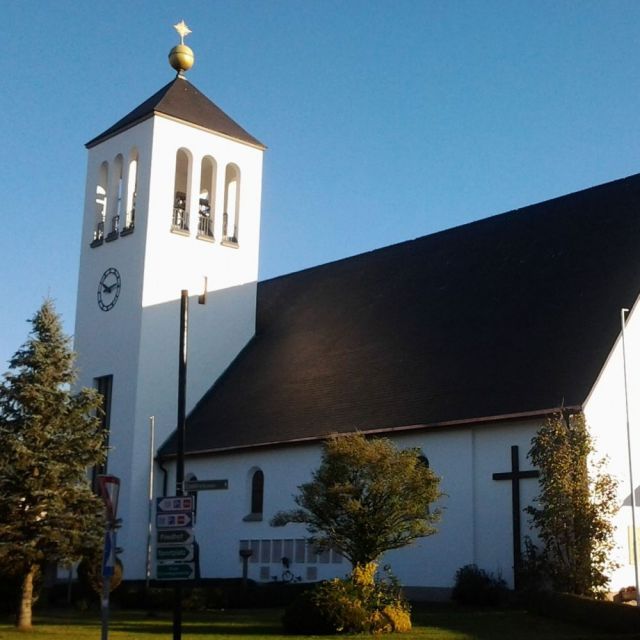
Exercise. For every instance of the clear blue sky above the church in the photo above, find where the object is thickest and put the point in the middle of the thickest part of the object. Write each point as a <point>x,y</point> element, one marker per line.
<point>384,120</point>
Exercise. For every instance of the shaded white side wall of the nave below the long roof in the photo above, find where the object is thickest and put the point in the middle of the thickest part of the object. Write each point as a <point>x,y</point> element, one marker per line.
<point>475,526</point>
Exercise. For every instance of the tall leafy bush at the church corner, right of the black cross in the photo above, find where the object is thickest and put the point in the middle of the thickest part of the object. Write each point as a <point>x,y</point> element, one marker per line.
<point>573,513</point>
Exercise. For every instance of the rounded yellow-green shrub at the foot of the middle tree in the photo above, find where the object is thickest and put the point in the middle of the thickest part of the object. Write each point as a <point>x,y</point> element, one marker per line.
<point>359,603</point>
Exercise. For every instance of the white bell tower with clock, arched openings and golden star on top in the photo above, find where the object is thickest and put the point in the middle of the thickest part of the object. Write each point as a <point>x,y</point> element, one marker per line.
<point>172,202</point>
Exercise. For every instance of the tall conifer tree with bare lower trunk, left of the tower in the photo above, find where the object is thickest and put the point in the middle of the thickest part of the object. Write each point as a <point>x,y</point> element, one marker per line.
<point>49,438</point>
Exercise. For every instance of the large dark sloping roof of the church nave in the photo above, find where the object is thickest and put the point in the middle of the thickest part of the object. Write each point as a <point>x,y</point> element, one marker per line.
<point>506,316</point>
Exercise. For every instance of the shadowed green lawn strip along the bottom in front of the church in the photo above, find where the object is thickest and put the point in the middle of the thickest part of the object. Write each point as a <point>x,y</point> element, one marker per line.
<point>430,623</point>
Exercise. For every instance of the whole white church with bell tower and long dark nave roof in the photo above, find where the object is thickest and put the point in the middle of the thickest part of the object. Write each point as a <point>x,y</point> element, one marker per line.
<point>460,343</point>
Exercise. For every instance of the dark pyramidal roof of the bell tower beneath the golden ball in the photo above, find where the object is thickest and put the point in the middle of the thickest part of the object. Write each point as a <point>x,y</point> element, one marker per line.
<point>180,99</point>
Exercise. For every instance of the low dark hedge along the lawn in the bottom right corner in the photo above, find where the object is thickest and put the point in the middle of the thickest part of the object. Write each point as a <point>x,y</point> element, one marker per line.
<point>600,614</point>
